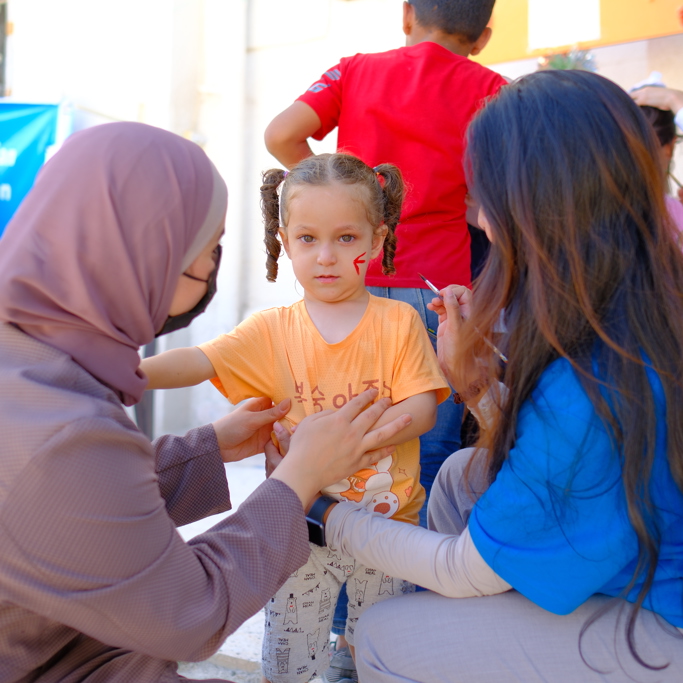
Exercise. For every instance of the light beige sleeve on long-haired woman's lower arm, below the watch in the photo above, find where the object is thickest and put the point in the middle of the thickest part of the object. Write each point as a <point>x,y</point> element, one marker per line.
<point>447,564</point>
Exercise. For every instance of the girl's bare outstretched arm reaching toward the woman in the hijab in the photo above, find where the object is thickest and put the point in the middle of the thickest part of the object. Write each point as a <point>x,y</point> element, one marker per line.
<point>177,368</point>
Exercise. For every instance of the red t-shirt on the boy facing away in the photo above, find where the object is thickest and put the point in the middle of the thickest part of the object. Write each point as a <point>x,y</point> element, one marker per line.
<point>411,107</point>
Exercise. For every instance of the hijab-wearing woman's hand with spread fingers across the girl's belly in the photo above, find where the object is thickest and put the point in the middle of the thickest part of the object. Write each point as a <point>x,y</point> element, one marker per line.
<point>331,445</point>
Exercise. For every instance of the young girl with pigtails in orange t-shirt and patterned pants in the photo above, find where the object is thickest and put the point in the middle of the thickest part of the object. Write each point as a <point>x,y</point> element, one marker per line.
<point>333,214</point>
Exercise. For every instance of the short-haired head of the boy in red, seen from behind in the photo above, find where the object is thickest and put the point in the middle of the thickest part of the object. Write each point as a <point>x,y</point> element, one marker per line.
<point>465,20</point>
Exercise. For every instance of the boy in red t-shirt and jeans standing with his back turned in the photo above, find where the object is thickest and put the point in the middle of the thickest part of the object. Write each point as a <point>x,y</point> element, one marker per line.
<point>409,107</point>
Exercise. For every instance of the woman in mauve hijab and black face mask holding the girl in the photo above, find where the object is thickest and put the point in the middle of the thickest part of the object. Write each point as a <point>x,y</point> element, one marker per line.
<point>116,243</point>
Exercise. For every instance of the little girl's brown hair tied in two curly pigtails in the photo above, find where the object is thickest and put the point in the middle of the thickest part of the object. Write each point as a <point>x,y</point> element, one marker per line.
<point>382,188</point>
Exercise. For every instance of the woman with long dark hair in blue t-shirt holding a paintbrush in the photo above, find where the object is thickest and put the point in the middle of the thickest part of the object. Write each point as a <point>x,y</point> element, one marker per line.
<point>568,515</point>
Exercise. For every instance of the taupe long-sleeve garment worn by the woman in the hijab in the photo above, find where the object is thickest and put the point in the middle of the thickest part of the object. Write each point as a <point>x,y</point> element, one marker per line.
<point>95,582</point>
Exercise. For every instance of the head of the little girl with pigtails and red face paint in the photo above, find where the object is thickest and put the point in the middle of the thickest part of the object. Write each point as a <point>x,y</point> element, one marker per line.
<point>334,215</point>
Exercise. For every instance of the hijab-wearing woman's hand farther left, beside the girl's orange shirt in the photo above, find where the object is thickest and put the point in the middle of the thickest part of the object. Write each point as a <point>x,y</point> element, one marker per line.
<point>246,430</point>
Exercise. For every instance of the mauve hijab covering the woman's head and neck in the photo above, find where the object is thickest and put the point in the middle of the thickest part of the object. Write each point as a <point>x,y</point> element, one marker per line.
<point>90,262</point>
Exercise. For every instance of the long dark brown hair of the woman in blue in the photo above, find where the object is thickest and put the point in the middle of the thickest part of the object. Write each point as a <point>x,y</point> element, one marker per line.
<point>584,266</point>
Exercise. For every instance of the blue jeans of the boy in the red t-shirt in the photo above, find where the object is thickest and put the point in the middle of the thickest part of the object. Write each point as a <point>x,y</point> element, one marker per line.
<point>437,444</point>
